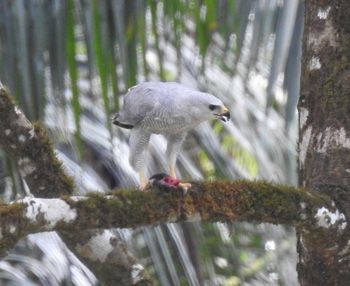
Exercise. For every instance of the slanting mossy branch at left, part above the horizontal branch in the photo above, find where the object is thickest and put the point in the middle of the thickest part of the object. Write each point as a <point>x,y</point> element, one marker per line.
<point>30,148</point>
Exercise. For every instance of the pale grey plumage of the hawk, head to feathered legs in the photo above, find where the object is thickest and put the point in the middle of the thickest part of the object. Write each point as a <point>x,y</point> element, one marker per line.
<point>167,108</point>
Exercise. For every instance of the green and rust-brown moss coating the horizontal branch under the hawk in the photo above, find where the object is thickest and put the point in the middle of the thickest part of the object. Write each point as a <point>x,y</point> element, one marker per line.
<point>225,201</point>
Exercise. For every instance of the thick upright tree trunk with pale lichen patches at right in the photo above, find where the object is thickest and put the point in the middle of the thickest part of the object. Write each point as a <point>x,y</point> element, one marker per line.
<point>324,141</point>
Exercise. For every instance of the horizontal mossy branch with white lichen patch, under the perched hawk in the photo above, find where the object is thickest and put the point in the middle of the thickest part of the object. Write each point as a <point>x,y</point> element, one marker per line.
<point>225,201</point>
